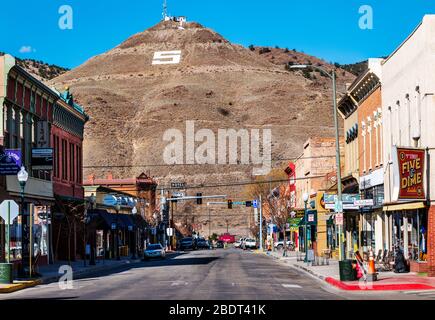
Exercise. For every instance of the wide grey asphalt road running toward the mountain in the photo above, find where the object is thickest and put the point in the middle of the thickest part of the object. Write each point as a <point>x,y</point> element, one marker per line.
<point>229,274</point>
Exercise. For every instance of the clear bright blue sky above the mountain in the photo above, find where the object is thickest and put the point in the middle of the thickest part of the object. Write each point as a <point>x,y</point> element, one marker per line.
<point>327,29</point>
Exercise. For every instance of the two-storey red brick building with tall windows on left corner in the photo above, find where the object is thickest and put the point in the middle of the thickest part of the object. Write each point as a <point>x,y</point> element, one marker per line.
<point>32,115</point>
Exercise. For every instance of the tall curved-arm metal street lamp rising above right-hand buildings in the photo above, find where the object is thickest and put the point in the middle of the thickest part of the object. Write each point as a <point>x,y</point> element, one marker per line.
<point>337,144</point>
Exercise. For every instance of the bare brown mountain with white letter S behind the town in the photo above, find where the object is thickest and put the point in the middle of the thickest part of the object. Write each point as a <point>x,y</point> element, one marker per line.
<point>217,84</point>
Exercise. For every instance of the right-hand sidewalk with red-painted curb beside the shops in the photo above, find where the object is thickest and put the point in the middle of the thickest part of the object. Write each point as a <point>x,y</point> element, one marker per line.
<point>388,281</point>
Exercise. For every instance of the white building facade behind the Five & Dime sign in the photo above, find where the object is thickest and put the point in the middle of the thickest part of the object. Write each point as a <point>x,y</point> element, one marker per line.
<point>408,109</point>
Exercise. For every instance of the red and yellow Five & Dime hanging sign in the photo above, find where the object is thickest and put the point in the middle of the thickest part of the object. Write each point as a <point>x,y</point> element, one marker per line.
<point>409,166</point>
